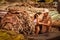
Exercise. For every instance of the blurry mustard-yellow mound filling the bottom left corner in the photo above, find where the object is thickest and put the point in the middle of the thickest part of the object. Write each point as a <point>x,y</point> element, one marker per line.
<point>10,35</point>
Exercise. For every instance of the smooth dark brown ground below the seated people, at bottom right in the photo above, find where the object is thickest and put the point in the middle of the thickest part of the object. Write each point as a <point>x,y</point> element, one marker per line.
<point>46,36</point>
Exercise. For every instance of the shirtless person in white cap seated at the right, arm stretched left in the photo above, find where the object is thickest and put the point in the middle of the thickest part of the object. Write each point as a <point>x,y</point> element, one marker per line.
<point>45,21</point>
